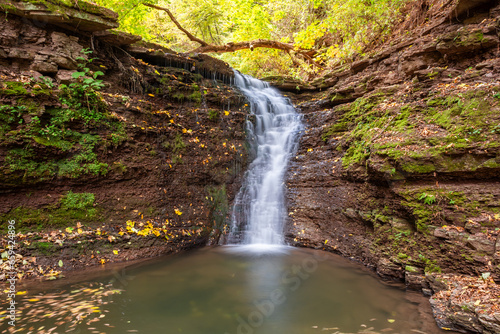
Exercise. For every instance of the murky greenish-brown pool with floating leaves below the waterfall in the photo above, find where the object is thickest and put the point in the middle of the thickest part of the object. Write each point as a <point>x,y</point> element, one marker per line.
<point>230,290</point>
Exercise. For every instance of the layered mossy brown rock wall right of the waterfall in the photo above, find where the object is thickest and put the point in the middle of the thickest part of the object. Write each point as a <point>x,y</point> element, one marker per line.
<point>399,167</point>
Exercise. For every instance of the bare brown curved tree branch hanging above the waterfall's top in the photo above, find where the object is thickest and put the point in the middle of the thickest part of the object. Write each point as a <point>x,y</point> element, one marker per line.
<point>232,47</point>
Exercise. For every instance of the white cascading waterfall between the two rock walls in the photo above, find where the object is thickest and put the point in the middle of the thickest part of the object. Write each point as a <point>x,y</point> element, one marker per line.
<point>273,129</point>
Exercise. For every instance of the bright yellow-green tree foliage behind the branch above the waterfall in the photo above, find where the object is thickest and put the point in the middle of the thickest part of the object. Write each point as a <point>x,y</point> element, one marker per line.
<point>266,37</point>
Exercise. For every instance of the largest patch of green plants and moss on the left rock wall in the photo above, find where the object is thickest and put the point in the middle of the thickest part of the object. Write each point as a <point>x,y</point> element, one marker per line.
<point>25,125</point>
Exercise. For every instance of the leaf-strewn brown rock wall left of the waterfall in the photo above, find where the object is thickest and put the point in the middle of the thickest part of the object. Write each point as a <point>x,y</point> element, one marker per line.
<point>104,157</point>
